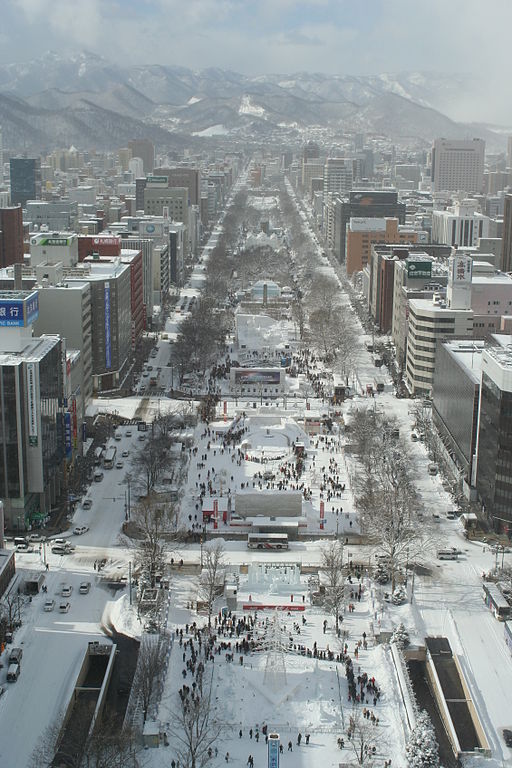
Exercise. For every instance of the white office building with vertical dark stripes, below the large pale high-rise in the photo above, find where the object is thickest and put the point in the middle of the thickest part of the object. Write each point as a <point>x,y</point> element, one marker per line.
<point>459,225</point>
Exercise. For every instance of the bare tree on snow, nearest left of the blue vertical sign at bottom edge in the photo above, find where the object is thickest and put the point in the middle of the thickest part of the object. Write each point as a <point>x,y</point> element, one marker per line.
<point>195,731</point>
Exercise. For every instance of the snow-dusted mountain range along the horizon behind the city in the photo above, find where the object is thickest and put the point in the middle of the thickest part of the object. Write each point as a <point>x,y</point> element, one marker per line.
<point>89,102</point>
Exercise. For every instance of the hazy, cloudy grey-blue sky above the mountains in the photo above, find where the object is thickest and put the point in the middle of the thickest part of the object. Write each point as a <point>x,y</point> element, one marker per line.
<point>260,36</point>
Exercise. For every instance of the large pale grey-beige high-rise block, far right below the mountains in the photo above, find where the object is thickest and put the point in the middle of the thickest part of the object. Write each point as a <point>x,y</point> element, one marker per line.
<point>458,165</point>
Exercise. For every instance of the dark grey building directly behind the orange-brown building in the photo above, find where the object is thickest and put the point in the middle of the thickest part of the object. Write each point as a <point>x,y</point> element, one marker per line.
<point>375,204</point>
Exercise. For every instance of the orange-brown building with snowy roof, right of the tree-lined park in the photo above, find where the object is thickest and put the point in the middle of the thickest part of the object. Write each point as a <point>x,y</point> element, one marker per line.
<point>363,232</point>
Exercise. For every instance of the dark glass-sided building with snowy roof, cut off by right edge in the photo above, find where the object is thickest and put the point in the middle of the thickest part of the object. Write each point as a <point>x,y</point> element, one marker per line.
<point>494,462</point>
